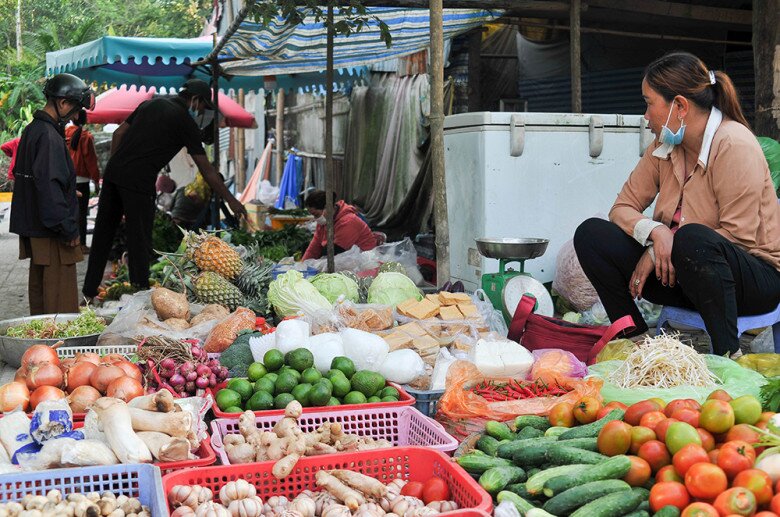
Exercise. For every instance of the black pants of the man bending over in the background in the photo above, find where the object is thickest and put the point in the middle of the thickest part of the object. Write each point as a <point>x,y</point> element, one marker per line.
<point>138,210</point>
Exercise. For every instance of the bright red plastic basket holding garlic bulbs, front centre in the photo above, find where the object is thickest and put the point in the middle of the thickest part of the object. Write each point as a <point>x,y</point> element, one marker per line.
<point>409,463</point>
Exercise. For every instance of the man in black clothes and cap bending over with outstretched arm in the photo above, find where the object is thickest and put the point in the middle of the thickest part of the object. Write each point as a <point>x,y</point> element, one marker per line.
<point>149,138</point>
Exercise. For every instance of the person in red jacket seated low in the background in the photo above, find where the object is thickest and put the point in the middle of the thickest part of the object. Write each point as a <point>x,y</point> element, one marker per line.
<point>349,228</point>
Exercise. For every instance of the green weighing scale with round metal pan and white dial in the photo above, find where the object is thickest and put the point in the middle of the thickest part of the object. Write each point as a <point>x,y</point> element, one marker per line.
<point>507,287</point>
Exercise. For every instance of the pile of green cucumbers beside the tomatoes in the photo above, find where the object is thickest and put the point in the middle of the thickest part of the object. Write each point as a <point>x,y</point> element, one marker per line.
<point>552,471</point>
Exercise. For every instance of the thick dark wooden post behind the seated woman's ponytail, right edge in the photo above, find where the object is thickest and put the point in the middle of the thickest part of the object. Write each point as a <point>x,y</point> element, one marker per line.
<point>766,64</point>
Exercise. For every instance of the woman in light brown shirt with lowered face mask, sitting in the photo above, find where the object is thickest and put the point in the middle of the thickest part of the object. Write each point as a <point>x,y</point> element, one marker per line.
<point>713,242</point>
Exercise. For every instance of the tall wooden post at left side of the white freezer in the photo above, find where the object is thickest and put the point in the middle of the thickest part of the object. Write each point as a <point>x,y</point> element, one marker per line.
<point>436,73</point>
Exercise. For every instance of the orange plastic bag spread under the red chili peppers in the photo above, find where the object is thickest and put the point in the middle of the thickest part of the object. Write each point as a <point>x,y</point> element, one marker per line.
<point>458,403</point>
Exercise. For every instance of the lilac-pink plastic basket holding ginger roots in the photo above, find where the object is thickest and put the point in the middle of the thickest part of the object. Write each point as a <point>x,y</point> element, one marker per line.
<point>403,426</point>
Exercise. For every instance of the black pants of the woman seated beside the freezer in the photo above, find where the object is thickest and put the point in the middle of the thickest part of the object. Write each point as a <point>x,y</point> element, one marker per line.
<point>715,277</point>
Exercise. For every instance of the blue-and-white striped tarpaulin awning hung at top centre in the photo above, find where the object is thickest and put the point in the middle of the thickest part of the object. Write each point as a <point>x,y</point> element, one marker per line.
<point>278,48</point>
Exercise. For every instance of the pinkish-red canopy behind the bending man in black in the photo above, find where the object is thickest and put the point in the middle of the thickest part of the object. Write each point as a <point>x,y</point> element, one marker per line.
<point>115,105</point>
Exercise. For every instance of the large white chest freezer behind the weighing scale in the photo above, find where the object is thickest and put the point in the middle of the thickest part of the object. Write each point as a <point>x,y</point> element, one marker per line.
<point>532,175</point>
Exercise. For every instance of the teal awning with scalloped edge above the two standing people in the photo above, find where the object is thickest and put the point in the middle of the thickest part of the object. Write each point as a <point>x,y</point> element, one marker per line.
<point>166,63</point>
